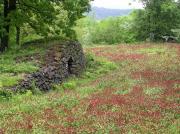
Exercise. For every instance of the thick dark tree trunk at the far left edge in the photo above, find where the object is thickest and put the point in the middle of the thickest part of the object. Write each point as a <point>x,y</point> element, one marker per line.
<point>9,5</point>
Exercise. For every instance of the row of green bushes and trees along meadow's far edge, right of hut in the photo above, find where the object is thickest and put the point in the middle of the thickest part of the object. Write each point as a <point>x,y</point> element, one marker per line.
<point>160,19</point>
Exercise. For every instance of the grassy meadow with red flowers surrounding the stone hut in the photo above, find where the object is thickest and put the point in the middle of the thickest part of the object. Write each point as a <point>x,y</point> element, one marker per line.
<point>71,105</point>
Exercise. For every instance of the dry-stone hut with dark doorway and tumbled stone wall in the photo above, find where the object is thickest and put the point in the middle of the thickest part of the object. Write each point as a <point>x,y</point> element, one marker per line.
<point>61,61</point>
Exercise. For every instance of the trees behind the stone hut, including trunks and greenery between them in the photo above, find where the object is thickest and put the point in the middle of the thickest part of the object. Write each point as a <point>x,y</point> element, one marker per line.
<point>22,18</point>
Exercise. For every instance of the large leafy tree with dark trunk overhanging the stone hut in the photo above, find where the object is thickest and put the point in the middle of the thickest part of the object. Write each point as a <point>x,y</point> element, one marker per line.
<point>40,15</point>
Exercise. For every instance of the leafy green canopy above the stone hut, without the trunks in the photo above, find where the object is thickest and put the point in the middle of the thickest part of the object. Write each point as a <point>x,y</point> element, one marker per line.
<point>46,17</point>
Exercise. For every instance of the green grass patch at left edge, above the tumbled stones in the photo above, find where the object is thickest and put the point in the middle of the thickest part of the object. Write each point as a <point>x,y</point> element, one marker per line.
<point>12,72</point>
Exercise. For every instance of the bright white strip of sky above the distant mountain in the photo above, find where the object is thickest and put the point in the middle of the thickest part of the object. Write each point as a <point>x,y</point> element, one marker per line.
<point>117,4</point>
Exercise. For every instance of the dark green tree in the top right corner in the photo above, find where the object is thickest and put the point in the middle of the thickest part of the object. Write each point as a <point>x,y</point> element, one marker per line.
<point>161,16</point>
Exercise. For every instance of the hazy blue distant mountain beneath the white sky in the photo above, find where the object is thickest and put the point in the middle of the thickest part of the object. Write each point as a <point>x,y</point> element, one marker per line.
<point>102,13</point>
